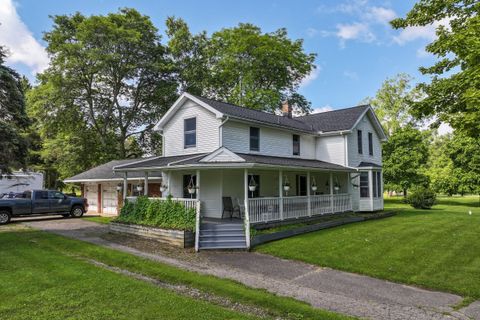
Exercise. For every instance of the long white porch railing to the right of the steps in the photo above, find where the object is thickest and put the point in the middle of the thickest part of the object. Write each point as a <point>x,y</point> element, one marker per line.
<point>268,209</point>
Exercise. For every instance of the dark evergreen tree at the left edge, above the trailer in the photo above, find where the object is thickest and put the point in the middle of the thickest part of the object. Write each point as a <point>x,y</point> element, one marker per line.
<point>13,118</point>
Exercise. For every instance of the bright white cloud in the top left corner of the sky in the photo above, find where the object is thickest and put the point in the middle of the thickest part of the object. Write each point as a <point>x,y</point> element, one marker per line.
<point>22,46</point>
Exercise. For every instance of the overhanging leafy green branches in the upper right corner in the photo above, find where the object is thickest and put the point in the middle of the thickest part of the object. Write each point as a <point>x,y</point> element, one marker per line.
<point>453,95</point>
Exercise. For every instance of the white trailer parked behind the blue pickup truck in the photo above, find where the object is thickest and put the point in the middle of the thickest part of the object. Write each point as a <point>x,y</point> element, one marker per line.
<point>21,181</point>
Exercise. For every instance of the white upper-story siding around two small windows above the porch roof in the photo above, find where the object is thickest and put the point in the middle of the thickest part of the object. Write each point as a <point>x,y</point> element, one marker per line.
<point>273,142</point>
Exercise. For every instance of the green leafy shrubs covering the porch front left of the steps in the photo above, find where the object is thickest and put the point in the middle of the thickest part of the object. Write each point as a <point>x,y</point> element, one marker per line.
<point>166,214</point>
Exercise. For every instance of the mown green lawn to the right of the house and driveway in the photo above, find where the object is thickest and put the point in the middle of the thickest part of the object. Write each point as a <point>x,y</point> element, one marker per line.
<point>437,248</point>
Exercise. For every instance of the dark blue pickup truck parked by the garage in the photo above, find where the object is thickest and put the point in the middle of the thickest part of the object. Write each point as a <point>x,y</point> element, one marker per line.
<point>41,202</point>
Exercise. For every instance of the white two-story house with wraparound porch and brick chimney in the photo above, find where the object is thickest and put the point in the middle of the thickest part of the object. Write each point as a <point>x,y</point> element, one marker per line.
<point>267,167</point>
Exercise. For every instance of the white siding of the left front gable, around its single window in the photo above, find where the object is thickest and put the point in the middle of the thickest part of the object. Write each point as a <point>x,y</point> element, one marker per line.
<point>207,130</point>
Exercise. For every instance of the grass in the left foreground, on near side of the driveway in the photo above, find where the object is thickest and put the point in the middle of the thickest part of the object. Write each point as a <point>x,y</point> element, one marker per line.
<point>45,276</point>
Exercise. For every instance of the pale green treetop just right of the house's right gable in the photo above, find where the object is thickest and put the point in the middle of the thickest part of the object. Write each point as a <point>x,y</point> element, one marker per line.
<point>393,101</point>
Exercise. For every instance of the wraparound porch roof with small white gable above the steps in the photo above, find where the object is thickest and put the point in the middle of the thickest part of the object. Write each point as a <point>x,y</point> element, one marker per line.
<point>241,160</point>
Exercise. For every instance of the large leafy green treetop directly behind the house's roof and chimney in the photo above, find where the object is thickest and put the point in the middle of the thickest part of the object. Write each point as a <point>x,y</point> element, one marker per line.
<point>241,65</point>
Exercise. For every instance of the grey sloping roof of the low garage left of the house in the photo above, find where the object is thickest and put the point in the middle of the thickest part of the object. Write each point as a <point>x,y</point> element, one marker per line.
<point>105,172</point>
